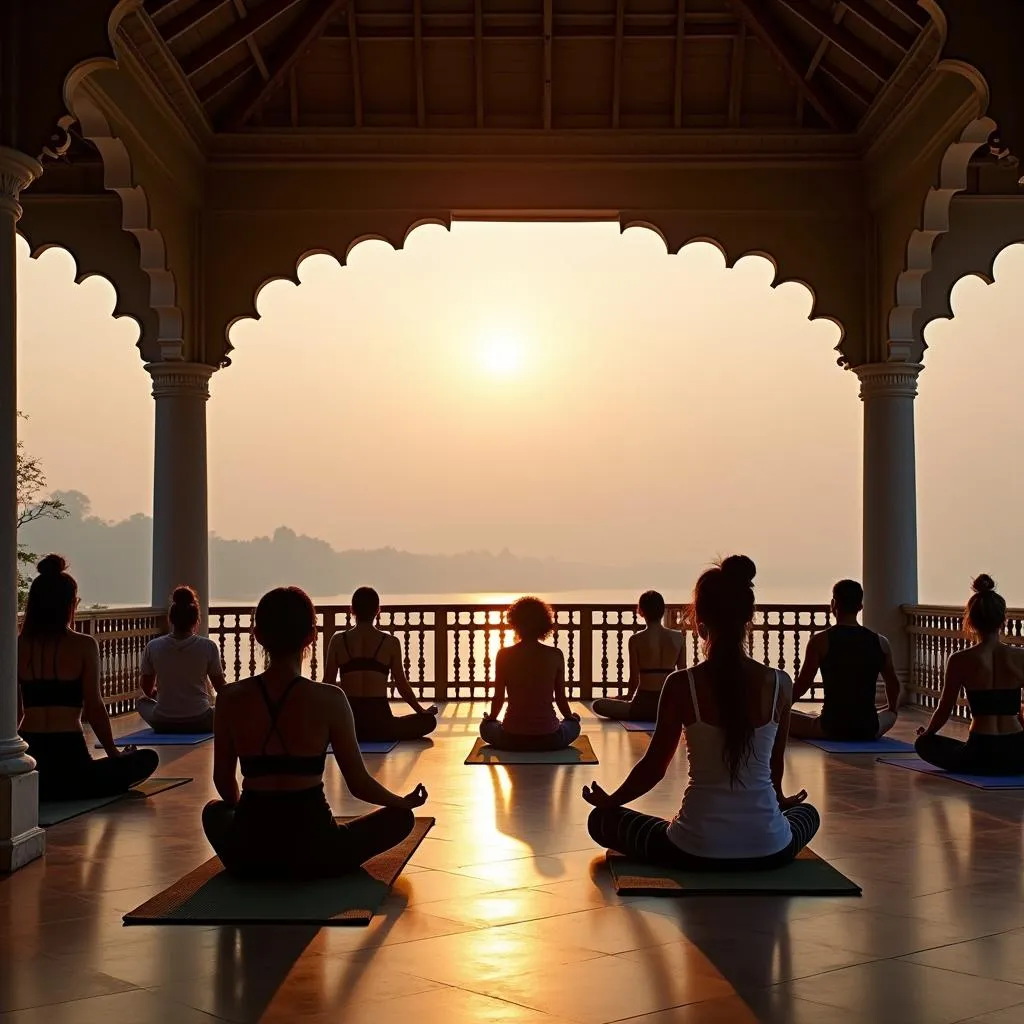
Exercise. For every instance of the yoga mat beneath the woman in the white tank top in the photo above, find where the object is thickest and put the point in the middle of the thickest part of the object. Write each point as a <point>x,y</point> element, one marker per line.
<point>807,876</point>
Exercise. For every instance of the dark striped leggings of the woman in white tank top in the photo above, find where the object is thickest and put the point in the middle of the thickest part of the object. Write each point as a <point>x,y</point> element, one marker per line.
<point>646,838</point>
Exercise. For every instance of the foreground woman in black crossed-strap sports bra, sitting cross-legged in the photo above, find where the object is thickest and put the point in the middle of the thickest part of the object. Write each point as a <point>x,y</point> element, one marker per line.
<point>278,727</point>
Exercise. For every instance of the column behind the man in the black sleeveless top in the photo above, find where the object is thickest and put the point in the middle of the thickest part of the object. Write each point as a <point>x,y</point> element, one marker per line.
<point>890,543</point>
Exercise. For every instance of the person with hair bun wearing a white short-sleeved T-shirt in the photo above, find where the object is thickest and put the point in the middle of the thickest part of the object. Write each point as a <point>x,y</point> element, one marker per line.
<point>175,672</point>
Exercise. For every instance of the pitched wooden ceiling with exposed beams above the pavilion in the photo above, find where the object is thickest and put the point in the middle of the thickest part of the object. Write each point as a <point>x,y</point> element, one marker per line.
<point>737,65</point>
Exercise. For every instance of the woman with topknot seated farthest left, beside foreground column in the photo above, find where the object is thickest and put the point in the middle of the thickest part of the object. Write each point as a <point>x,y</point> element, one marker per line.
<point>58,684</point>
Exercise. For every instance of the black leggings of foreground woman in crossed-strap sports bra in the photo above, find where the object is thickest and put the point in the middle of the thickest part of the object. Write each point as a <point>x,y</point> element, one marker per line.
<point>293,835</point>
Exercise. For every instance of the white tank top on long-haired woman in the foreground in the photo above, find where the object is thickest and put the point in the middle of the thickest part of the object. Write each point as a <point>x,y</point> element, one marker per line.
<point>722,820</point>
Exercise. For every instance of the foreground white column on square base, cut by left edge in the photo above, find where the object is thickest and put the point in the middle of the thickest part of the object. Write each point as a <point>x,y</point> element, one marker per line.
<point>21,838</point>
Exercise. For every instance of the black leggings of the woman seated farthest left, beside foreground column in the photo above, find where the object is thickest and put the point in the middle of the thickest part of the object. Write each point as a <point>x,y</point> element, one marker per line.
<point>68,773</point>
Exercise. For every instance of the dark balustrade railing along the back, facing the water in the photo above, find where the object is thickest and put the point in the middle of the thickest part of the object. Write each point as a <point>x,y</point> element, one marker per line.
<point>450,650</point>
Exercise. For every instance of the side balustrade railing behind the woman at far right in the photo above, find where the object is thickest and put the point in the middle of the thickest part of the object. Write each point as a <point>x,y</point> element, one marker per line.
<point>935,632</point>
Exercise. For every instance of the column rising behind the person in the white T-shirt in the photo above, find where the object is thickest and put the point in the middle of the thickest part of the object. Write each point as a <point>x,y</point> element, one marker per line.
<point>181,545</point>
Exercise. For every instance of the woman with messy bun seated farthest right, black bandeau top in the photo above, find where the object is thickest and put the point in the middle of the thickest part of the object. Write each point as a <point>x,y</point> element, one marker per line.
<point>991,673</point>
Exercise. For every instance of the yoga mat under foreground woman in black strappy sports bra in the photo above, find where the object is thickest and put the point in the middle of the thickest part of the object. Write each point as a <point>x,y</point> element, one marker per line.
<point>210,897</point>
